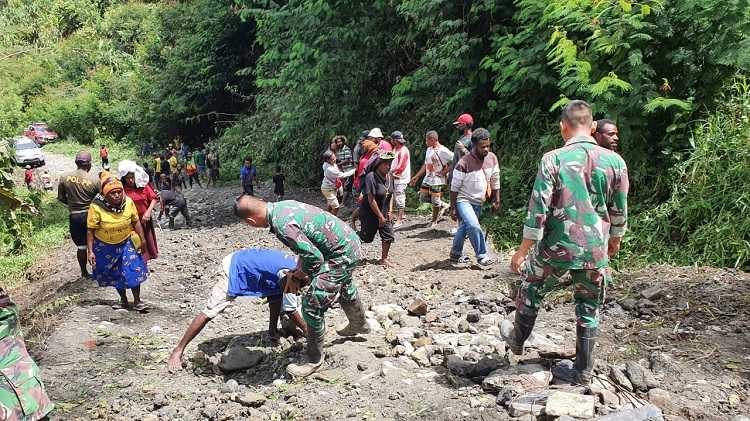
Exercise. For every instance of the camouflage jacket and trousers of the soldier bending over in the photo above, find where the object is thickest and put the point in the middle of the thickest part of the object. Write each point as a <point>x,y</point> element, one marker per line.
<point>328,249</point>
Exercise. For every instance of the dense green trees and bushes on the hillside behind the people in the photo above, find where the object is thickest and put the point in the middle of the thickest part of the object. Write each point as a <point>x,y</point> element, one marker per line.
<point>278,79</point>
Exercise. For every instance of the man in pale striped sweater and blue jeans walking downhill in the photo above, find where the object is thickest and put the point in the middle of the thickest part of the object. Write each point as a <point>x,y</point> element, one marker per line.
<point>476,178</point>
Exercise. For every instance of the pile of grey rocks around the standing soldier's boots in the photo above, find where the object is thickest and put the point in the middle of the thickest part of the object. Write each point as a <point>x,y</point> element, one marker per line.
<point>468,344</point>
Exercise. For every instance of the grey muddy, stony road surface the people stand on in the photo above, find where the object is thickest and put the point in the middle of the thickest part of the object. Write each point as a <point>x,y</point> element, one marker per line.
<point>99,363</point>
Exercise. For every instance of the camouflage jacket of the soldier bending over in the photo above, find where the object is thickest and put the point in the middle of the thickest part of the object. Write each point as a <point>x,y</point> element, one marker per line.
<point>317,237</point>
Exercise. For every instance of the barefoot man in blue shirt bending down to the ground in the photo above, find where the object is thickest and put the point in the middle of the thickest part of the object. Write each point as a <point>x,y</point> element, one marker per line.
<point>247,273</point>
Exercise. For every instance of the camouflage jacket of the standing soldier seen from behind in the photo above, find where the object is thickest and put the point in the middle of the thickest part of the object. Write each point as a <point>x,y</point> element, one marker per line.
<point>578,201</point>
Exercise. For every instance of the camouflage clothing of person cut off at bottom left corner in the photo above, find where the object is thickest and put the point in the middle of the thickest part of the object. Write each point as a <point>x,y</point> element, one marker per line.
<point>22,395</point>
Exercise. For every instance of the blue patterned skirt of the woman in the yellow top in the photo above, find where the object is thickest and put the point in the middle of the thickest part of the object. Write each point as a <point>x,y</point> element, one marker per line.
<point>118,265</point>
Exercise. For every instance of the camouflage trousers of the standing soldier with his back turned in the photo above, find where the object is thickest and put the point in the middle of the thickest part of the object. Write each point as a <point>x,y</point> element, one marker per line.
<point>541,278</point>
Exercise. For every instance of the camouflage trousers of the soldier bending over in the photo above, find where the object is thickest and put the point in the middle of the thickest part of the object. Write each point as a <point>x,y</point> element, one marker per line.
<point>325,289</point>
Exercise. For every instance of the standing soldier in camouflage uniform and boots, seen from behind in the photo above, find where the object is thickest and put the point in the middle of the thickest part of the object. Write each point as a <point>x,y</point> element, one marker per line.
<point>577,216</point>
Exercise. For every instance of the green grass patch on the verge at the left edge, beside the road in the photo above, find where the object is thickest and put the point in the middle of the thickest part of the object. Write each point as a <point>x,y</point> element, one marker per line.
<point>49,229</point>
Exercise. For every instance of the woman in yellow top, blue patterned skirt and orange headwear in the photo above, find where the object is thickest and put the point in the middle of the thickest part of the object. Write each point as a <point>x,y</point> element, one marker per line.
<point>114,239</point>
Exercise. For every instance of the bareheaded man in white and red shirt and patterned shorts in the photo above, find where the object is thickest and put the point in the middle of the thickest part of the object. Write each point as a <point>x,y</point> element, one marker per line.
<point>437,164</point>
